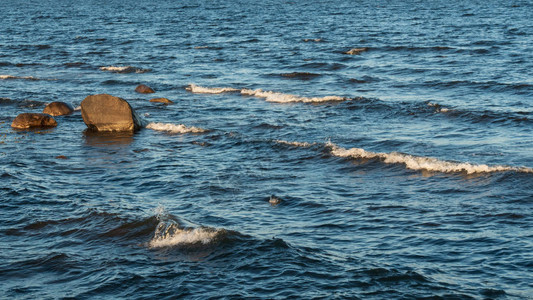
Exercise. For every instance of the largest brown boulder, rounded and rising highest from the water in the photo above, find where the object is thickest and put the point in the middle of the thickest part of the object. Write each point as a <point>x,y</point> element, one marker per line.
<point>104,112</point>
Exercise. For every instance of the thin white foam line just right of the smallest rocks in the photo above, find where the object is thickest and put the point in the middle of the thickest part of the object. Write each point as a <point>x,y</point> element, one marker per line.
<point>267,95</point>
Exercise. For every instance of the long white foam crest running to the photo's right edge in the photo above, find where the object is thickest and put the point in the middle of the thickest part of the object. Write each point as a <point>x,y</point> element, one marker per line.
<point>422,163</point>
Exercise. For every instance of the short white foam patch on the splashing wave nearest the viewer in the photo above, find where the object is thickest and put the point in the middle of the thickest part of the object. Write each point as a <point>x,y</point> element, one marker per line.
<point>189,236</point>
